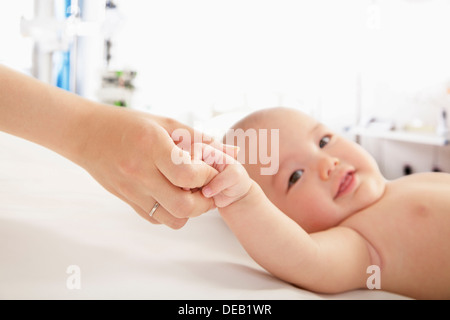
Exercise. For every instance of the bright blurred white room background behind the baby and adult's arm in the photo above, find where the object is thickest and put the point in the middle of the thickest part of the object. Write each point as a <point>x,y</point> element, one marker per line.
<point>377,71</point>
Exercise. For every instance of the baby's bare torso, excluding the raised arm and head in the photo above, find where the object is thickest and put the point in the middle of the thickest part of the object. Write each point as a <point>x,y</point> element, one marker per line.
<point>409,227</point>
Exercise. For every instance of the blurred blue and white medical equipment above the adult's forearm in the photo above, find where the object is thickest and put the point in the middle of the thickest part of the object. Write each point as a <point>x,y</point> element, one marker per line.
<point>73,42</point>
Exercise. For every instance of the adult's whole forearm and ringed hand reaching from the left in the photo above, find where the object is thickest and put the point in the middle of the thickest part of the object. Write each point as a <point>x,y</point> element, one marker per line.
<point>127,152</point>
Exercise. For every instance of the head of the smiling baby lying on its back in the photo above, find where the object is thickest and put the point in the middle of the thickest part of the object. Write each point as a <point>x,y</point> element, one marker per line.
<point>322,178</point>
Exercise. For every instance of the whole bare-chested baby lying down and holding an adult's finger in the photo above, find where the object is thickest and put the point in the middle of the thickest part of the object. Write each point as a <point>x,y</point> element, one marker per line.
<point>327,220</point>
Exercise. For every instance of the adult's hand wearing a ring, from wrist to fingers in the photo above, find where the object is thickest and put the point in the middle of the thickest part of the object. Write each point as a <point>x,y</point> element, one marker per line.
<point>130,154</point>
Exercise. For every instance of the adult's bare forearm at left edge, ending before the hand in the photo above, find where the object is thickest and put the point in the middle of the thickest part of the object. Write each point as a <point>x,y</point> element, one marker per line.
<point>42,113</point>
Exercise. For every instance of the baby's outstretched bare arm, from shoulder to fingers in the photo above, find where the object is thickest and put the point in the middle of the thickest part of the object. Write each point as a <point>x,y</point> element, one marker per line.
<point>330,261</point>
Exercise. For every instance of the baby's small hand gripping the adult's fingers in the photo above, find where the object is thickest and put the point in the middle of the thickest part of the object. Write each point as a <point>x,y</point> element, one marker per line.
<point>232,182</point>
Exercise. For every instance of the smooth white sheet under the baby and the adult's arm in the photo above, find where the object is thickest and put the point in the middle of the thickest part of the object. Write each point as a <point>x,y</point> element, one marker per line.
<point>54,215</point>
